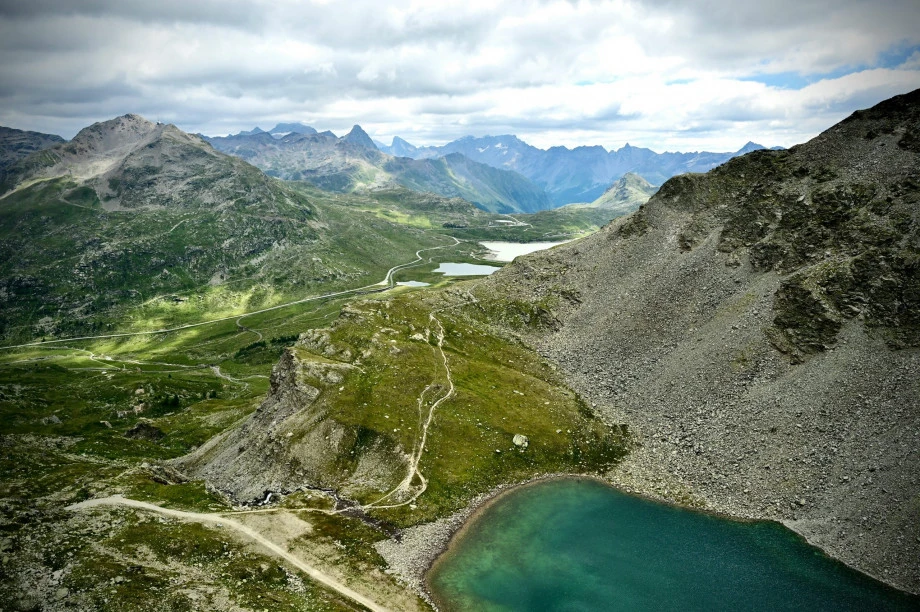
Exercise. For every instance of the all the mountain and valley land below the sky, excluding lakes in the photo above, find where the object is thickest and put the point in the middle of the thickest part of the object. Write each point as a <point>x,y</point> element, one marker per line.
<point>231,377</point>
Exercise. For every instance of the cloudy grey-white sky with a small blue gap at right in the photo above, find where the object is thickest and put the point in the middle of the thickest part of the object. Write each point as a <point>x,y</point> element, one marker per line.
<point>665,74</point>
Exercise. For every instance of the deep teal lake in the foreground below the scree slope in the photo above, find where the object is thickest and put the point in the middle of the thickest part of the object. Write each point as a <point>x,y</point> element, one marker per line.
<point>574,545</point>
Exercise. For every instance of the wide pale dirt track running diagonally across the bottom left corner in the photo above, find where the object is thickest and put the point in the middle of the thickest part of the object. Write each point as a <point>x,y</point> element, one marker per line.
<point>249,533</point>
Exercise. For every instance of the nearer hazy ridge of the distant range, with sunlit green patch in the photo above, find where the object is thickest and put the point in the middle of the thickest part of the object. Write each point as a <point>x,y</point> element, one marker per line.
<point>353,162</point>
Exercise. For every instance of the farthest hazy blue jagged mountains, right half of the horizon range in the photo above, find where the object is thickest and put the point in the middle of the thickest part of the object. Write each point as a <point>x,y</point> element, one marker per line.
<point>571,175</point>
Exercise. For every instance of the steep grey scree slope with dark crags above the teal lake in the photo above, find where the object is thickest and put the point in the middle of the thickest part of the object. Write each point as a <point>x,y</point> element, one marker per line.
<point>758,328</point>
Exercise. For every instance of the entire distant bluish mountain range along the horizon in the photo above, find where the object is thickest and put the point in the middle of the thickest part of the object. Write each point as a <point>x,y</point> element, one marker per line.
<point>528,179</point>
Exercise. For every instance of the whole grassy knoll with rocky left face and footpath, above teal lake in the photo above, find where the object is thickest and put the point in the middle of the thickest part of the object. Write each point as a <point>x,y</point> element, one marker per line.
<point>377,373</point>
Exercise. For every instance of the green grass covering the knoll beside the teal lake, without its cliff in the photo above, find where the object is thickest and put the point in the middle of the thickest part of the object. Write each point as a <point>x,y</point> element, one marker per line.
<point>501,389</point>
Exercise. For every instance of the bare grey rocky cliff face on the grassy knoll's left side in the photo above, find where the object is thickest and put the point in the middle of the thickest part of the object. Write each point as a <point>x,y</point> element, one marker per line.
<point>292,442</point>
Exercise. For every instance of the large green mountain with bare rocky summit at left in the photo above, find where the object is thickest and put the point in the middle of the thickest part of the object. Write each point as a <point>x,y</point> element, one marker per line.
<point>130,211</point>
